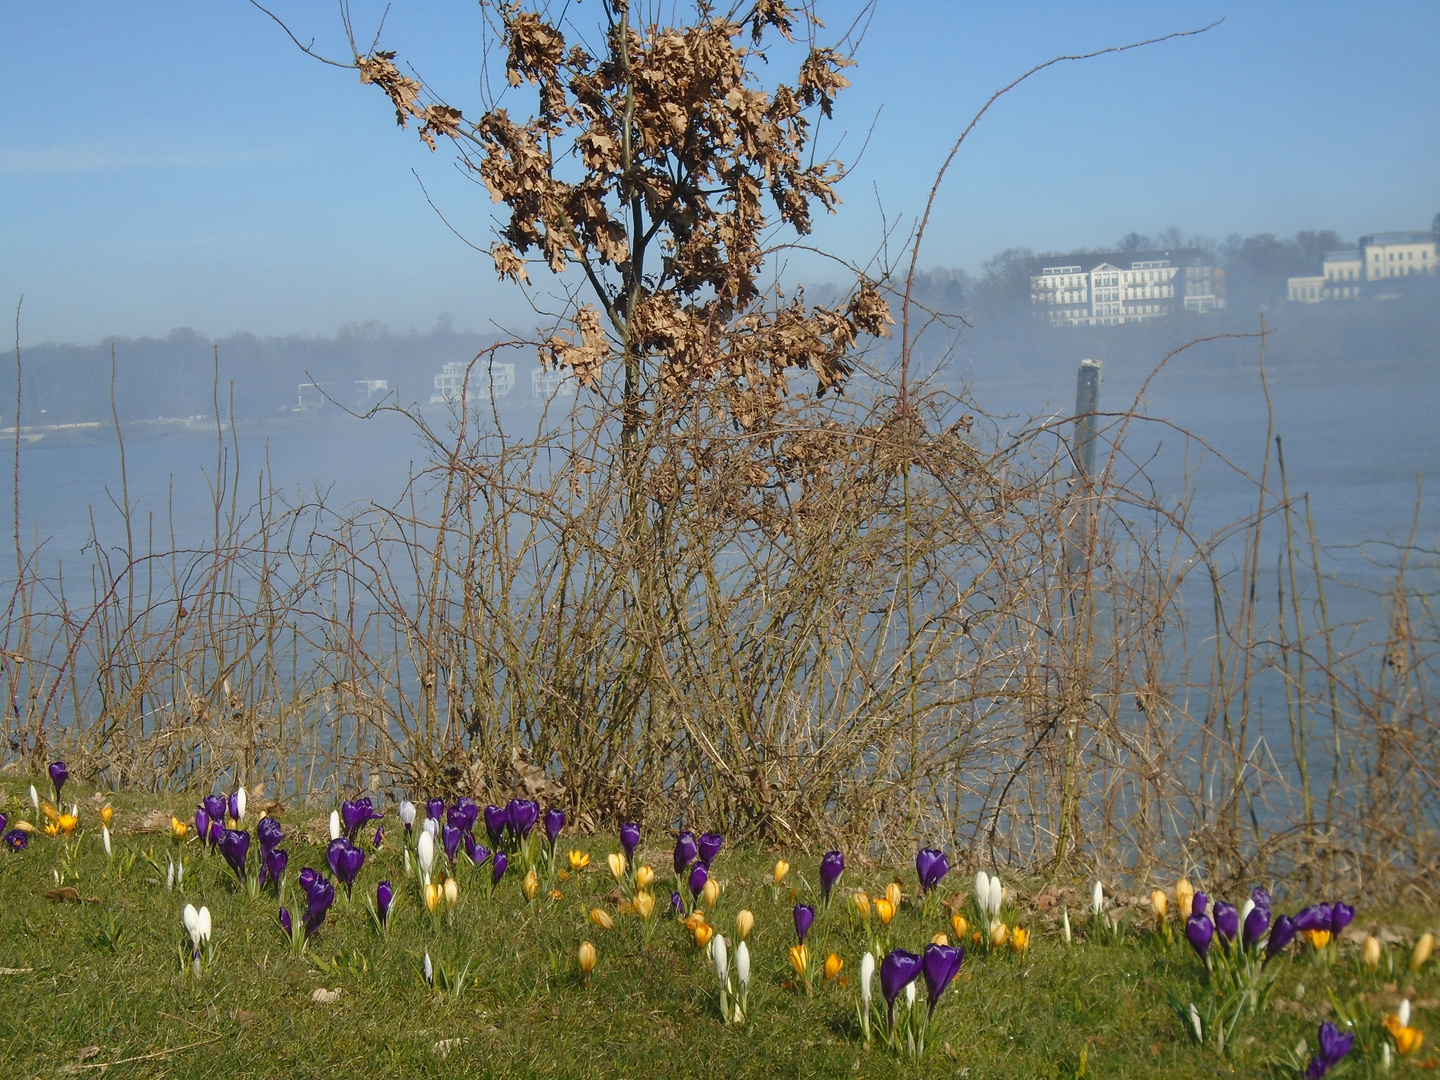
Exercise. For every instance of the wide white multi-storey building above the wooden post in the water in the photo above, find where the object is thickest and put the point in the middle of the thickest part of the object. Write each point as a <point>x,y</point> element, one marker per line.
<point>1133,287</point>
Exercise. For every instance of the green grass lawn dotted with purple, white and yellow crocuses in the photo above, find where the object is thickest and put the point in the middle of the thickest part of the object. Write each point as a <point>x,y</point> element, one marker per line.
<point>110,976</point>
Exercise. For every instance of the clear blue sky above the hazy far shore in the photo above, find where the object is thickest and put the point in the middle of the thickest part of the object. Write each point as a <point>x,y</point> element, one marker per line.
<point>172,165</point>
